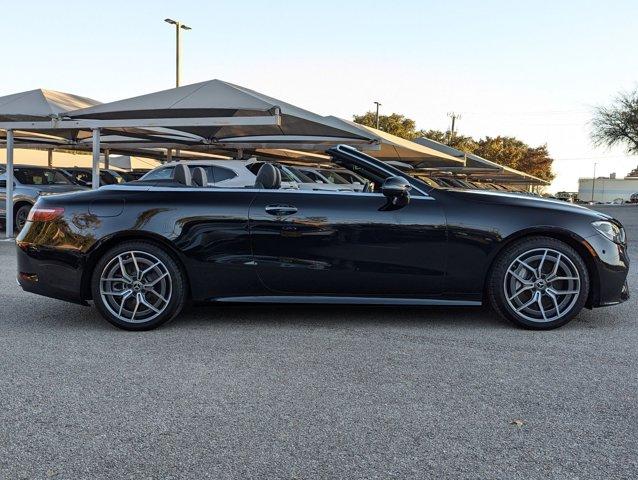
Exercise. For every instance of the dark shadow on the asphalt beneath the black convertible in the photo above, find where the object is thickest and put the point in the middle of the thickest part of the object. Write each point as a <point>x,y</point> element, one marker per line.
<point>55,314</point>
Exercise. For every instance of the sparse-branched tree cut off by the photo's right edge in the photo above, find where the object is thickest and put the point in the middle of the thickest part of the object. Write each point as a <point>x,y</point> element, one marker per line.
<point>617,124</point>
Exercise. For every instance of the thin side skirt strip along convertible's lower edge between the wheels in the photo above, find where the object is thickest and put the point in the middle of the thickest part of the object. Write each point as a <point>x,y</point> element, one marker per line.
<point>317,299</point>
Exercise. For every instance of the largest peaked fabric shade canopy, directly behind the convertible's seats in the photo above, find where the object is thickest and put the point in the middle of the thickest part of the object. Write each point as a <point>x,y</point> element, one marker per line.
<point>216,98</point>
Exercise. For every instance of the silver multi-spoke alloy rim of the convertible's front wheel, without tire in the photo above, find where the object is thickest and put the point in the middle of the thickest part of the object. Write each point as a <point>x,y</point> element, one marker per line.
<point>542,285</point>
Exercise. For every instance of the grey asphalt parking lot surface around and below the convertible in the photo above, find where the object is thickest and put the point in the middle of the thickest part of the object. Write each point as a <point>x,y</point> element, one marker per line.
<point>316,392</point>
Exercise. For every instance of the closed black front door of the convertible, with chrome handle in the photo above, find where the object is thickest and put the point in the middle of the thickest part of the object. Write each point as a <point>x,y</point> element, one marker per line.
<point>345,243</point>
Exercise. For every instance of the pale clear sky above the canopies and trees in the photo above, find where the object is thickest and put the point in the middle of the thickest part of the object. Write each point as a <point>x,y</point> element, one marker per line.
<point>534,70</point>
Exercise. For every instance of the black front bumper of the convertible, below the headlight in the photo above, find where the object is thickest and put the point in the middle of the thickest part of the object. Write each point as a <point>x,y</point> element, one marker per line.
<point>611,263</point>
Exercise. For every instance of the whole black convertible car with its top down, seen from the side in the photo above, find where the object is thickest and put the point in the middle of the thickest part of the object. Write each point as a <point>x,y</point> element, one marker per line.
<point>140,250</point>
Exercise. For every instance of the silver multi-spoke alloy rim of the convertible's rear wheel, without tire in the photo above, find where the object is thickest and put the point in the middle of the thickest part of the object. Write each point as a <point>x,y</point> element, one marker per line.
<point>135,286</point>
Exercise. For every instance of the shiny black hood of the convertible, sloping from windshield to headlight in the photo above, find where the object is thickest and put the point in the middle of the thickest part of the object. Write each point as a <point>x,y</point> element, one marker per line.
<point>521,200</point>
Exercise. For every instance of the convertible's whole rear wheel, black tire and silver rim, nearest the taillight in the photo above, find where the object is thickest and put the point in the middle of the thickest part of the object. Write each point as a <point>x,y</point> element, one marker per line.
<point>138,285</point>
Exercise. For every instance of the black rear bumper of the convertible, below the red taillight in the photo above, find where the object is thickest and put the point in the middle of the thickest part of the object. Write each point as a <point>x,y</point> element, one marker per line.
<point>50,272</point>
